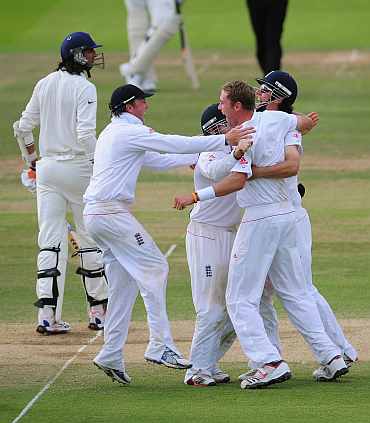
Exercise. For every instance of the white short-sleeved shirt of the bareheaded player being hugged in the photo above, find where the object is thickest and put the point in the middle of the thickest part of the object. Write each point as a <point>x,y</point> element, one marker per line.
<point>268,149</point>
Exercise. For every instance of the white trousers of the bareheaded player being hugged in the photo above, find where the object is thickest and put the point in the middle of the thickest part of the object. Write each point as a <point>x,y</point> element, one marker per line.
<point>268,247</point>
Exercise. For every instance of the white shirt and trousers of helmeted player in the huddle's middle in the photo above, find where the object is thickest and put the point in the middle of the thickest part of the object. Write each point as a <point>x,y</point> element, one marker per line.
<point>209,239</point>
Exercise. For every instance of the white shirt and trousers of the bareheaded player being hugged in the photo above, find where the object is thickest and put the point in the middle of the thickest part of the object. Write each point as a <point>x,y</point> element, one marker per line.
<point>265,245</point>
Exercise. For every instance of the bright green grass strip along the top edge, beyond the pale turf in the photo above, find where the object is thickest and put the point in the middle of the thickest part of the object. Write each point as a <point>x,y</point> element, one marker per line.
<point>219,25</point>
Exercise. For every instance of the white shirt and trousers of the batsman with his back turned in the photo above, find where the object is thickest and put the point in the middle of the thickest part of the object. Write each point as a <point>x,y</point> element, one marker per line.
<point>64,106</point>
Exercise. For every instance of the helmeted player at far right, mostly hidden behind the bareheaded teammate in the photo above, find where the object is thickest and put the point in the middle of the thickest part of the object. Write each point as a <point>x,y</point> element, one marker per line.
<point>278,91</point>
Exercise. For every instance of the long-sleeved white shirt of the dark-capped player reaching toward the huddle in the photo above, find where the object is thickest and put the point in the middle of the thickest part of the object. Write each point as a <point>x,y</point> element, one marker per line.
<point>120,155</point>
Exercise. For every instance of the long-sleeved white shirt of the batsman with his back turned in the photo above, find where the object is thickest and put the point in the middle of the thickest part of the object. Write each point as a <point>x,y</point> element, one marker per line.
<point>64,106</point>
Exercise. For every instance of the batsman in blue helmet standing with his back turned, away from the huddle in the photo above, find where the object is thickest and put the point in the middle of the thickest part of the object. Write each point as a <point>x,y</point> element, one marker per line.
<point>63,105</point>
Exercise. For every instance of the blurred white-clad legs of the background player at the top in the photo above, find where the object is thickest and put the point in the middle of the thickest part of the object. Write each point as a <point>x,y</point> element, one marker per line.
<point>150,24</point>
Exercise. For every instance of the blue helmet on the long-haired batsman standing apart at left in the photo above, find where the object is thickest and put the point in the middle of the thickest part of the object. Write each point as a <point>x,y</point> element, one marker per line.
<point>74,44</point>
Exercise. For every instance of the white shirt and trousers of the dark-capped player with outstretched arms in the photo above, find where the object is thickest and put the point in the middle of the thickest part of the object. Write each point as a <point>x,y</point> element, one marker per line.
<point>132,260</point>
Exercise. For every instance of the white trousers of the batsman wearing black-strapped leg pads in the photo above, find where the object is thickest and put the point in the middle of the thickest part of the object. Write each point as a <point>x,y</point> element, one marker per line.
<point>60,186</point>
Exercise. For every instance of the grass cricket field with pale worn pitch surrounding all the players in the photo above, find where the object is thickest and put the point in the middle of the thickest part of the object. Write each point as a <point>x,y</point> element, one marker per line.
<point>327,50</point>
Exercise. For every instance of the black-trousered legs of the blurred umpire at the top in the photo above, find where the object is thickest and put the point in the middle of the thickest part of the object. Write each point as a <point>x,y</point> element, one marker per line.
<point>267,18</point>
